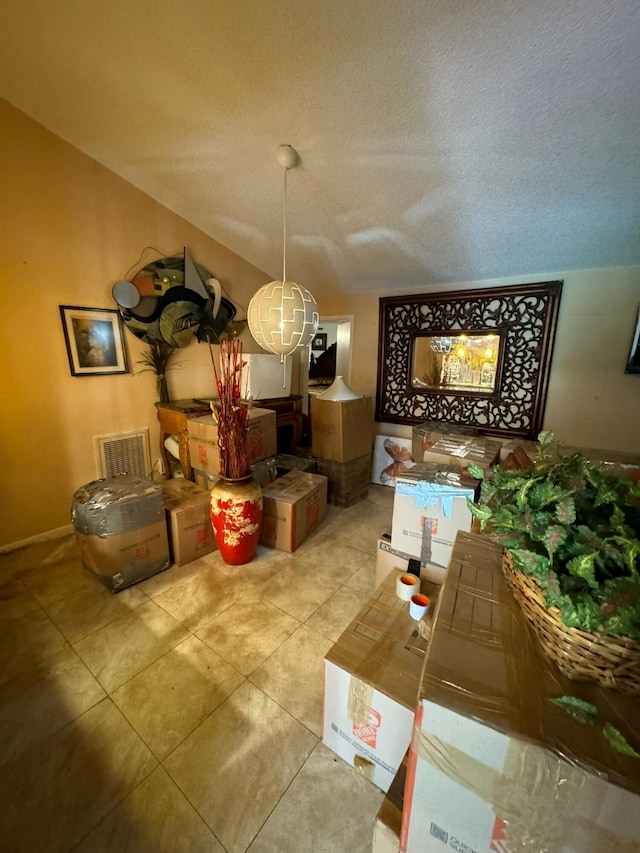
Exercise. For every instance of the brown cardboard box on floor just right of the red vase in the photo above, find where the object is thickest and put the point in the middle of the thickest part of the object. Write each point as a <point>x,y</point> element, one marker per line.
<point>294,505</point>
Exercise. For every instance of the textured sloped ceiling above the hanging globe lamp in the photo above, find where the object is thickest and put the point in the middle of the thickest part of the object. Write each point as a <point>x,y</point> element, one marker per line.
<point>440,140</point>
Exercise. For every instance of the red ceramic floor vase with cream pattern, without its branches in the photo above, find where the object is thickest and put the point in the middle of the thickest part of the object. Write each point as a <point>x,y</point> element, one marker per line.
<point>236,515</point>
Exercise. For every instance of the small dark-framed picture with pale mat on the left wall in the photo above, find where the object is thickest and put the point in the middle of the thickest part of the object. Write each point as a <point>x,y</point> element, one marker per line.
<point>94,339</point>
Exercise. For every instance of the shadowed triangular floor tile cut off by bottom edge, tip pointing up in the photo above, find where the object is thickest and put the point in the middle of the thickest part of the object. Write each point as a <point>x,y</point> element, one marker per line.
<point>155,818</point>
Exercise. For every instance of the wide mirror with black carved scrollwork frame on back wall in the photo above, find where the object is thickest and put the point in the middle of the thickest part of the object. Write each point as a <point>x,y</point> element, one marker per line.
<point>479,358</point>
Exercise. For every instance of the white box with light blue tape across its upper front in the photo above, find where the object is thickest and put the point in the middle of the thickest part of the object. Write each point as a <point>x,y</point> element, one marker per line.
<point>429,508</point>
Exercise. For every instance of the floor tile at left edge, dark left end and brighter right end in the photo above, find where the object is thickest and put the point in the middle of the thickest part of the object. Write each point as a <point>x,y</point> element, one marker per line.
<point>43,700</point>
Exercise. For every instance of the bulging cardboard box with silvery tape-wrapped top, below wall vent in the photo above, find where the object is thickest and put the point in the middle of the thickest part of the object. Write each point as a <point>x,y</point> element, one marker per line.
<point>121,529</point>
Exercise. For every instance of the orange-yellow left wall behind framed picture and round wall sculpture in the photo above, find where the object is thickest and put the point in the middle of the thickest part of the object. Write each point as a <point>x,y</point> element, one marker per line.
<point>70,229</point>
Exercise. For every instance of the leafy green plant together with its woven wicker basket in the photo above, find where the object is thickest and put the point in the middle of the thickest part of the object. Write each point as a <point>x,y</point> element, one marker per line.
<point>571,531</point>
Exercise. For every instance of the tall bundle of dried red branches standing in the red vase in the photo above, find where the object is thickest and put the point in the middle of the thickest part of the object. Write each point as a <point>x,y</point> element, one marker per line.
<point>231,411</point>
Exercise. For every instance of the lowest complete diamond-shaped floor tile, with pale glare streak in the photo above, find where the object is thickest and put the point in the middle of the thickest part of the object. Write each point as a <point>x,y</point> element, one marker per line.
<point>235,766</point>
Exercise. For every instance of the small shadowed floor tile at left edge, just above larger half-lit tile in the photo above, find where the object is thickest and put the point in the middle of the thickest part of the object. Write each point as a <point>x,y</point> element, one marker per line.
<point>26,642</point>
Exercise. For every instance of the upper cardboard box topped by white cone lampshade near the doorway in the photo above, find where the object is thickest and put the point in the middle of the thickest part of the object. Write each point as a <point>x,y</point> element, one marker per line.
<point>343,430</point>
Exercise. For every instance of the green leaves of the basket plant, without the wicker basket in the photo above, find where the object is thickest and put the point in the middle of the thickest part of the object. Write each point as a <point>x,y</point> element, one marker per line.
<point>574,526</point>
